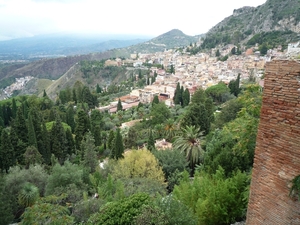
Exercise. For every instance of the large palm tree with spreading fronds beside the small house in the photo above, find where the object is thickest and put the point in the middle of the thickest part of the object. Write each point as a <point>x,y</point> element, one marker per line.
<point>189,142</point>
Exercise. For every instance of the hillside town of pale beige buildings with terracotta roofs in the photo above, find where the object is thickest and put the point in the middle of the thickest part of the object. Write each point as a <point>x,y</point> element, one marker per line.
<point>193,71</point>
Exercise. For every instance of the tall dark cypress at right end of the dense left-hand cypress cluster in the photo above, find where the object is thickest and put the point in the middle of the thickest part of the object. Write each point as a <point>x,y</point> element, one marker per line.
<point>82,127</point>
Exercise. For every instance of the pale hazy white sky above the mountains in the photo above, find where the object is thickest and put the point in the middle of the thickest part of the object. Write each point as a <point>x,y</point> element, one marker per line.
<point>24,18</point>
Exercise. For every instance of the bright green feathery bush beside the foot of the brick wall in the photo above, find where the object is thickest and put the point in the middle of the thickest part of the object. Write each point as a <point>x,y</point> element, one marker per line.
<point>215,199</point>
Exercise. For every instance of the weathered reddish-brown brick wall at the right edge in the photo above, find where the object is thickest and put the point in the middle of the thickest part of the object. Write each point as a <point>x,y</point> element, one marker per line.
<point>277,153</point>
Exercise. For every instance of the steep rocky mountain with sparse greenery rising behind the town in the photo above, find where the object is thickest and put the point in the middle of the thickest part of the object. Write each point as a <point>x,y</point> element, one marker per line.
<point>276,19</point>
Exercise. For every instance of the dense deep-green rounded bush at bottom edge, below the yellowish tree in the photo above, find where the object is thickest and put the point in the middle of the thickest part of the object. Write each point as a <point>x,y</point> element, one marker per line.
<point>120,212</point>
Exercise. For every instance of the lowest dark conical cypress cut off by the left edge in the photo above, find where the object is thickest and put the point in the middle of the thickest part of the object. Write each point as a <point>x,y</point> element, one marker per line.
<point>7,155</point>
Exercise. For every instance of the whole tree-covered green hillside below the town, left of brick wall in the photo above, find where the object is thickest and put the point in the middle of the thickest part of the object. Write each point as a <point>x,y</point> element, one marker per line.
<point>67,161</point>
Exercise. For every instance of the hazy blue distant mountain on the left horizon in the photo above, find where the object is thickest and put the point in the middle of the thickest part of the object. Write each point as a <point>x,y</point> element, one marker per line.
<point>56,45</point>
